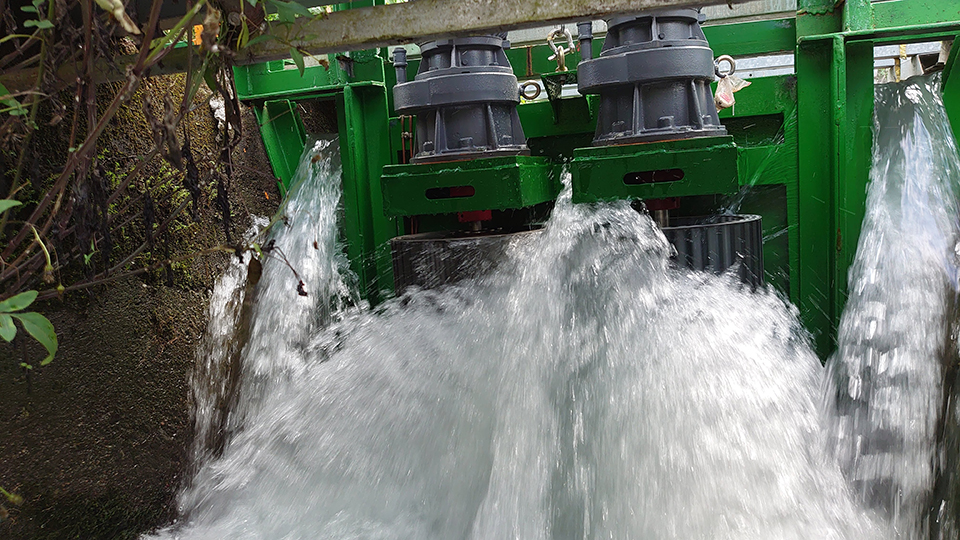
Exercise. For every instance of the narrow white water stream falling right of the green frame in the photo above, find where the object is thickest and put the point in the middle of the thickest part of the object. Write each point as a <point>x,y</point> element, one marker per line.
<point>893,336</point>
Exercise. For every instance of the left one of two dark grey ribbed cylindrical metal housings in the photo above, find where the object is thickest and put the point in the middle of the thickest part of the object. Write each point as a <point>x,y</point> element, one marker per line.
<point>465,97</point>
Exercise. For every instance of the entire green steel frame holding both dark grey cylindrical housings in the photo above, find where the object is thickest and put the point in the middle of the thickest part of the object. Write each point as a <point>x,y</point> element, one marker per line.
<point>798,151</point>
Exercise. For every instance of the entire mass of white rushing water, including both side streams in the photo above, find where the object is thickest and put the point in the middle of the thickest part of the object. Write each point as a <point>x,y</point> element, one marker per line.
<point>584,390</point>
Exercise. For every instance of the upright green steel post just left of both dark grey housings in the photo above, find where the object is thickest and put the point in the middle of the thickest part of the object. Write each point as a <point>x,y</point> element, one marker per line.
<point>364,149</point>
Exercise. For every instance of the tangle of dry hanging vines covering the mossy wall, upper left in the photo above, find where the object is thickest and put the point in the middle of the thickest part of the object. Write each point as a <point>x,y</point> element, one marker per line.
<point>66,226</point>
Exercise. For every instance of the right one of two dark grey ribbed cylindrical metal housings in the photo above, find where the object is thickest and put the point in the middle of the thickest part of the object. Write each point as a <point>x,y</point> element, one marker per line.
<point>653,77</point>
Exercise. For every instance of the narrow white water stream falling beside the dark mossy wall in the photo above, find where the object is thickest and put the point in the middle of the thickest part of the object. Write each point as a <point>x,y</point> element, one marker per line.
<point>305,284</point>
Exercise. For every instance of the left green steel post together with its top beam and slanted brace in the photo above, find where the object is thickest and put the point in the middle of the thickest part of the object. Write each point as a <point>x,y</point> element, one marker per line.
<point>355,83</point>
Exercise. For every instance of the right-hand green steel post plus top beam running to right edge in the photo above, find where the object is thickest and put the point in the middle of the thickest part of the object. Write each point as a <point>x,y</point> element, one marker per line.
<point>835,68</point>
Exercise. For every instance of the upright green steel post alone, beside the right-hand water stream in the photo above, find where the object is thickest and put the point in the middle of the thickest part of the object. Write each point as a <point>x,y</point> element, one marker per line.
<point>835,100</point>
